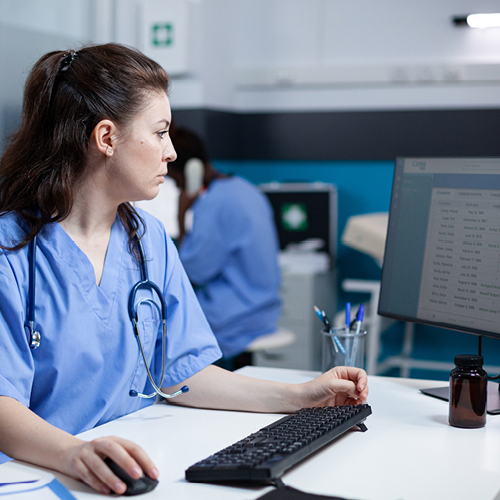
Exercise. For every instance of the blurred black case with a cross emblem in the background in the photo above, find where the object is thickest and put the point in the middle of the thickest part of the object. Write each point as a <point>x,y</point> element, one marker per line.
<point>304,211</point>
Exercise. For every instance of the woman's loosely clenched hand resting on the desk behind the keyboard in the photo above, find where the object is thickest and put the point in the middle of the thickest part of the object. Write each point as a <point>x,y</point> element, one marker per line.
<point>341,385</point>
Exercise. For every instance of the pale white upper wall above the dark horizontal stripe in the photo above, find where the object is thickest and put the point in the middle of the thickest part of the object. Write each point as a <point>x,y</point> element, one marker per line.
<point>271,55</point>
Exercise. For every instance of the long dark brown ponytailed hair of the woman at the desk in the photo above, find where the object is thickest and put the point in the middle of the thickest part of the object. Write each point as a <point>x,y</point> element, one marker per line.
<point>66,95</point>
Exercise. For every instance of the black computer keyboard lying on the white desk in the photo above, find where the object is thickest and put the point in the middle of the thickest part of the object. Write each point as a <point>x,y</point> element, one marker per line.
<point>266,454</point>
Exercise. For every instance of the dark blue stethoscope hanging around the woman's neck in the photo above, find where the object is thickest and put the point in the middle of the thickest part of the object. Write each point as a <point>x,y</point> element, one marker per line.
<point>34,336</point>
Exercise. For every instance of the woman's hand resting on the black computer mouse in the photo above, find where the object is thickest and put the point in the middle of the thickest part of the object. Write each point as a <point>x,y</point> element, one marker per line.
<point>86,463</point>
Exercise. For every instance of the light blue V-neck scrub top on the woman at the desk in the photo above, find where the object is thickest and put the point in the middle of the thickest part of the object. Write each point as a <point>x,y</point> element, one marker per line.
<point>88,359</point>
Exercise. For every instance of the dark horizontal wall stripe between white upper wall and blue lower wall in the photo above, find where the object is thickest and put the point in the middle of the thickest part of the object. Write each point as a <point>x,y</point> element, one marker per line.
<point>363,135</point>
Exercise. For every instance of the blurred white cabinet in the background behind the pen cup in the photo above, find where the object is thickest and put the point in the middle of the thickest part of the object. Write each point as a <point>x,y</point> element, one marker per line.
<point>300,292</point>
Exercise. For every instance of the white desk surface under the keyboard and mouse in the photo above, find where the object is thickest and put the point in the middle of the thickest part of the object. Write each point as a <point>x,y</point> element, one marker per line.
<point>409,451</point>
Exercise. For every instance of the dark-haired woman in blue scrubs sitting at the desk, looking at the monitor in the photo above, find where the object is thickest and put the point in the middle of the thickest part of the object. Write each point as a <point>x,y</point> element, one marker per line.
<point>93,138</point>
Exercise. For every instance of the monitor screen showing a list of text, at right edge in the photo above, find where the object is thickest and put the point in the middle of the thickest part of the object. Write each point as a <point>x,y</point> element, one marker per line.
<point>442,255</point>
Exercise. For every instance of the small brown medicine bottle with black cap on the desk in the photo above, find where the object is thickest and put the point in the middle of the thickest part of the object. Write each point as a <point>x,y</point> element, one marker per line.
<point>468,390</point>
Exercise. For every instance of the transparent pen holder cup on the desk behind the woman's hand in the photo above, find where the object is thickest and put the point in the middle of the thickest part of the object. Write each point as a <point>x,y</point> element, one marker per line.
<point>342,349</point>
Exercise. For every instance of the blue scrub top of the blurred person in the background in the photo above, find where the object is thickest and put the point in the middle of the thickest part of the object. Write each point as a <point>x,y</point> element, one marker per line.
<point>231,256</point>
